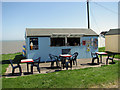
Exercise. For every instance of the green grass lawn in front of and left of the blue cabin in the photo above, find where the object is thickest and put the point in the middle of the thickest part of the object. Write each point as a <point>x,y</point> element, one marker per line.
<point>80,78</point>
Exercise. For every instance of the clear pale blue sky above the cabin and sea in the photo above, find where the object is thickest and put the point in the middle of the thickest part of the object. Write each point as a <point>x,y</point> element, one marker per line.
<point>17,16</point>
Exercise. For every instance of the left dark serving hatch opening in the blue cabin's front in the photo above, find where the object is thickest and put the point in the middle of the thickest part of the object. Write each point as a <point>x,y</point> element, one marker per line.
<point>57,41</point>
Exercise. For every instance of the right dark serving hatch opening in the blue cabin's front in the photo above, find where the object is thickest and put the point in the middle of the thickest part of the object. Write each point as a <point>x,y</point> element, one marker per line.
<point>73,41</point>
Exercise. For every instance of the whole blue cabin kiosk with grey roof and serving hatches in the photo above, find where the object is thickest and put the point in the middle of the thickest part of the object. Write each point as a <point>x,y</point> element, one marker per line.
<point>40,42</point>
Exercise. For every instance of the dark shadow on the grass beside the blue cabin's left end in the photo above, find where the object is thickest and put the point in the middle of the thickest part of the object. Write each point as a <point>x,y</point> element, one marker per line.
<point>16,60</point>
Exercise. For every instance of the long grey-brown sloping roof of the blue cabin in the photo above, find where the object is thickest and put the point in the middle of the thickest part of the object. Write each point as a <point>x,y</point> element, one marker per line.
<point>35,32</point>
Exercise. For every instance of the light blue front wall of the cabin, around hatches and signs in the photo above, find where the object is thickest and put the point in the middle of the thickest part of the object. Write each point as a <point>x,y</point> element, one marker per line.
<point>45,49</point>
